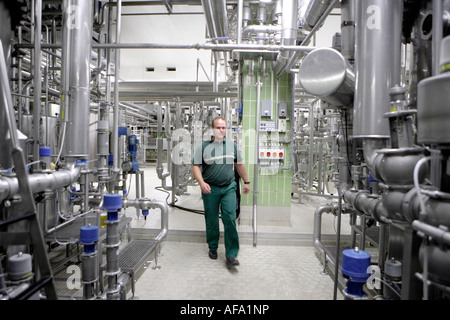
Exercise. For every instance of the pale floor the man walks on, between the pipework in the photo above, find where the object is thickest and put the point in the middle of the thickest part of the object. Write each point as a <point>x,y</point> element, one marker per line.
<point>281,266</point>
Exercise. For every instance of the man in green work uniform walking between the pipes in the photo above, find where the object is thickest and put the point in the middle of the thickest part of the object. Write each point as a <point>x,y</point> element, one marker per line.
<point>213,165</point>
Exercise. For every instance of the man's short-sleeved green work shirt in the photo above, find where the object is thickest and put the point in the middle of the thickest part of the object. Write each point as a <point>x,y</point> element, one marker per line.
<point>216,161</point>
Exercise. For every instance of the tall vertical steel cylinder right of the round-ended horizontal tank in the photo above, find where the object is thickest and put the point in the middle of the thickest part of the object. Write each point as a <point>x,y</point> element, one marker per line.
<point>377,64</point>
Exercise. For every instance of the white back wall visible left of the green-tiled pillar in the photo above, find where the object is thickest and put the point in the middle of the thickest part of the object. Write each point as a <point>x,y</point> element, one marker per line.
<point>167,29</point>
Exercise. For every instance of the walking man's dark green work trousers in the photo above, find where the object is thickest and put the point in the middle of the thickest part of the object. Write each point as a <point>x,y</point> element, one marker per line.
<point>226,197</point>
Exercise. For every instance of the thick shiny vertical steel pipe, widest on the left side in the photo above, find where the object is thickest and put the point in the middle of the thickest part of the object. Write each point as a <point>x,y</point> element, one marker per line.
<point>78,73</point>
